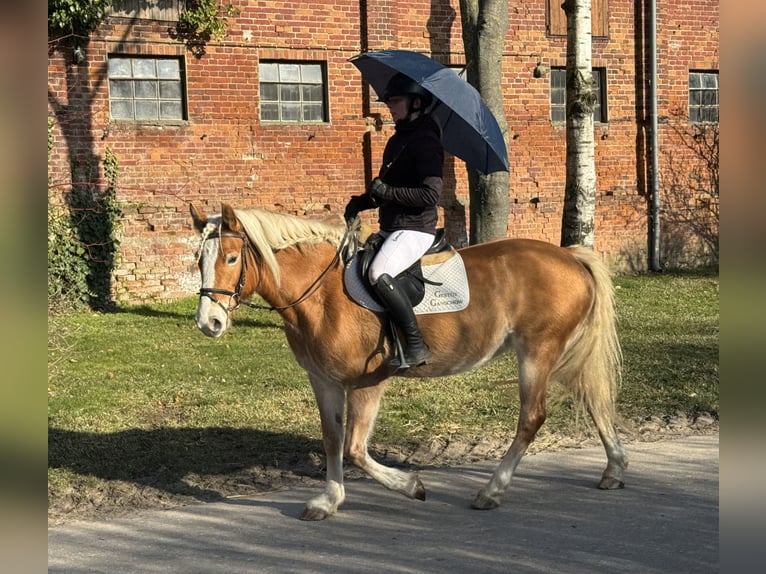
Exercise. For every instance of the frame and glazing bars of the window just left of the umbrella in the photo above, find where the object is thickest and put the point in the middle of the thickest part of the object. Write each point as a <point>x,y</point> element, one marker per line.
<point>299,86</point>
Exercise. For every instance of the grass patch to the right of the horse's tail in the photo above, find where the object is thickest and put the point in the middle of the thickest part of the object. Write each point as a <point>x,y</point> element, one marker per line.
<point>669,332</point>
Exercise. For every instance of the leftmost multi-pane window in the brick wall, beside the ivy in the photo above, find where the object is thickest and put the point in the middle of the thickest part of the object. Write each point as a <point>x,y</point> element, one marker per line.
<point>147,89</point>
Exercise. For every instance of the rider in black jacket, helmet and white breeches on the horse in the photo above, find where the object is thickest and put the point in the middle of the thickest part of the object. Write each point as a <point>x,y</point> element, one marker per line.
<point>406,193</point>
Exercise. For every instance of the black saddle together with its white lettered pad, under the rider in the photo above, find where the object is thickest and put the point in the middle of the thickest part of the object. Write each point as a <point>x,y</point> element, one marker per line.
<point>436,283</point>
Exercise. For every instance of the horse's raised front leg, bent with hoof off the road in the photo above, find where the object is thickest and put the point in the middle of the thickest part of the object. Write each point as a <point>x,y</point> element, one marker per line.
<point>362,410</point>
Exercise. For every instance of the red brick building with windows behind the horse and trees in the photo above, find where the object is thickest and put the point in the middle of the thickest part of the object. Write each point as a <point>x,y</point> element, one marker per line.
<point>214,128</point>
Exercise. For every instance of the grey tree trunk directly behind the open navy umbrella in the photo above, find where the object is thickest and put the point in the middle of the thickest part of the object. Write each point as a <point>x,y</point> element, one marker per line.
<point>485,23</point>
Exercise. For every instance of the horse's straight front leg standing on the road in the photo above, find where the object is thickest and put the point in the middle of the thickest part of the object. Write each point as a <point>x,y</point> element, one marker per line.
<point>331,399</point>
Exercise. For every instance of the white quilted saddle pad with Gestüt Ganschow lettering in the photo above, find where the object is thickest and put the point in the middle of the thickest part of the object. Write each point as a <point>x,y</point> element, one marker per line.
<point>451,295</point>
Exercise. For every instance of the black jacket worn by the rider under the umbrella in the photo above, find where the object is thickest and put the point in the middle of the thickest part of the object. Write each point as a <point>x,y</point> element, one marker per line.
<point>412,166</point>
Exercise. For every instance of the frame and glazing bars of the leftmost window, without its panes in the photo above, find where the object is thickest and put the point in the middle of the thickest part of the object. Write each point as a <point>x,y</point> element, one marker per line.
<point>140,82</point>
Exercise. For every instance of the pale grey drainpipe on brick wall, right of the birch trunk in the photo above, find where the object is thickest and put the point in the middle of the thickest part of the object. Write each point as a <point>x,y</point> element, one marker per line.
<point>654,218</point>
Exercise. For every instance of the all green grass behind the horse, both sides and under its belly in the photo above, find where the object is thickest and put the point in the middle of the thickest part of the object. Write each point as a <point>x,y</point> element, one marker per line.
<point>139,399</point>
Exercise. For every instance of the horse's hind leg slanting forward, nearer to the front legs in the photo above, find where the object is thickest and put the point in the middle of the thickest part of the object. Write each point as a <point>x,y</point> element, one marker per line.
<point>533,382</point>
